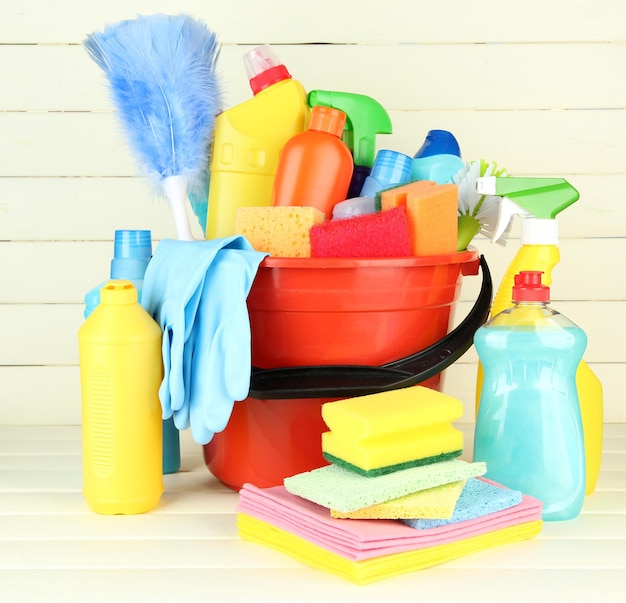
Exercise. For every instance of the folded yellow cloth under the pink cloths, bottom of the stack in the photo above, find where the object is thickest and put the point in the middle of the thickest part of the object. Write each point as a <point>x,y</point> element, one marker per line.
<point>377,568</point>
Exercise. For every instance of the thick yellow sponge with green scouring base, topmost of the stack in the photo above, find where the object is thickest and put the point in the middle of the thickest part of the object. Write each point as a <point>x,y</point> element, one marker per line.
<point>392,430</point>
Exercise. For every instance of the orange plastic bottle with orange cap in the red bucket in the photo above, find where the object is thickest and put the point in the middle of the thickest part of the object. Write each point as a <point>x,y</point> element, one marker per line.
<point>315,166</point>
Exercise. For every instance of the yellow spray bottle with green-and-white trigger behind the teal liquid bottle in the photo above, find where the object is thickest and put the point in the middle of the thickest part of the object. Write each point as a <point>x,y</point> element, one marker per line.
<point>539,200</point>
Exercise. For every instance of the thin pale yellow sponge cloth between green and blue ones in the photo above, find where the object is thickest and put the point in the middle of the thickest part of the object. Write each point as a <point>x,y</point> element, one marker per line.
<point>435,503</point>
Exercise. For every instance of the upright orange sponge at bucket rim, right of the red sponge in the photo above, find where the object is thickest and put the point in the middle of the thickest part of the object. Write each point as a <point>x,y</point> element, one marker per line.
<point>433,219</point>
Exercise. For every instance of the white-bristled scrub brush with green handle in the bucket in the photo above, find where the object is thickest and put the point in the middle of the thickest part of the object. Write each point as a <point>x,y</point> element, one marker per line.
<point>477,213</point>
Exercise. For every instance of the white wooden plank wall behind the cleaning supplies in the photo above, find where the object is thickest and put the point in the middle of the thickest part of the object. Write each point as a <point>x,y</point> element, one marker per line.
<point>538,86</point>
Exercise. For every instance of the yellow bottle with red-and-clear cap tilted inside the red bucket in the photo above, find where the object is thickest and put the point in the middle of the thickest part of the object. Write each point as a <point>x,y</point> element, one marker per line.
<point>248,139</point>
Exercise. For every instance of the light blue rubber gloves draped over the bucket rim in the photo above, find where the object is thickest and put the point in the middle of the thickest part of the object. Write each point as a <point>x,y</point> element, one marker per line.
<point>196,291</point>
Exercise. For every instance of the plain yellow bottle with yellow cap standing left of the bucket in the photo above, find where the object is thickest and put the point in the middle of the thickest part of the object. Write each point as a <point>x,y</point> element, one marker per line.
<point>120,372</point>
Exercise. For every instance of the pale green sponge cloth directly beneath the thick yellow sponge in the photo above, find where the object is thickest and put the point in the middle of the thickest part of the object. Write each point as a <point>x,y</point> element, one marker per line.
<point>337,488</point>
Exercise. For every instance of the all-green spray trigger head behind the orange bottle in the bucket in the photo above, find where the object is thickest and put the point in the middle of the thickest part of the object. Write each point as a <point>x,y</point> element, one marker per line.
<point>366,117</point>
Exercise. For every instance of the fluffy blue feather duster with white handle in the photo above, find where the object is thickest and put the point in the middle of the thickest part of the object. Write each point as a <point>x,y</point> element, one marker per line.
<point>161,74</point>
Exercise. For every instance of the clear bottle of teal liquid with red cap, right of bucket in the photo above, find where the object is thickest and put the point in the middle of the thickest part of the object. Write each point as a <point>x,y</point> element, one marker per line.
<point>529,428</point>
